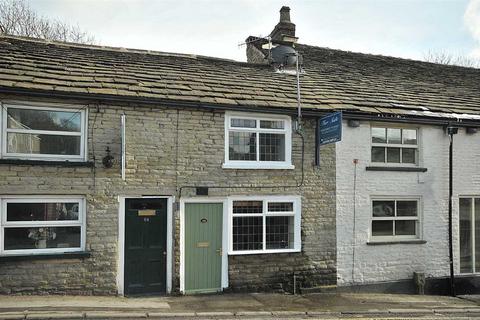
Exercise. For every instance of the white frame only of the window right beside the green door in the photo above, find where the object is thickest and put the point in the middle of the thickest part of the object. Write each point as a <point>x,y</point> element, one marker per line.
<point>297,207</point>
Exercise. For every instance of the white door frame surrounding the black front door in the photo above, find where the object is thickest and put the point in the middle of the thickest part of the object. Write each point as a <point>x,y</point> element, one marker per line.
<point>121,241</point>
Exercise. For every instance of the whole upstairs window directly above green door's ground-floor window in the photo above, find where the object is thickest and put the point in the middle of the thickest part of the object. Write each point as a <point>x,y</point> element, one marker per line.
<point>258,142</point>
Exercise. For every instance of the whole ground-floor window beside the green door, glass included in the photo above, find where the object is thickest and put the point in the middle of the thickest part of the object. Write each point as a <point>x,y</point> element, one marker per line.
<point>264,224</point>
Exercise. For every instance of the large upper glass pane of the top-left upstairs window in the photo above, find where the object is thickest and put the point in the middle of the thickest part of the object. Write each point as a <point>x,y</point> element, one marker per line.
<point>43,120</point>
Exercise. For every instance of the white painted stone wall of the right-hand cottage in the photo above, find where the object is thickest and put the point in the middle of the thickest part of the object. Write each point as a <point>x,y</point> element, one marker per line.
<point>389,262</point>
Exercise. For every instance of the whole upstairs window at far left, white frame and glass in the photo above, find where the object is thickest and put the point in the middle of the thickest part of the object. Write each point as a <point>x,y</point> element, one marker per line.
<point>31,132</point>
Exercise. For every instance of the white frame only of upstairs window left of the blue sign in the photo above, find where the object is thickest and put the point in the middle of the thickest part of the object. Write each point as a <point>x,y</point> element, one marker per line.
<point>241,164</point>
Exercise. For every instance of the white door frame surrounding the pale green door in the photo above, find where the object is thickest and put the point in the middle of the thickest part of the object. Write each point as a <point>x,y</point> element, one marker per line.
<point>223,201</point>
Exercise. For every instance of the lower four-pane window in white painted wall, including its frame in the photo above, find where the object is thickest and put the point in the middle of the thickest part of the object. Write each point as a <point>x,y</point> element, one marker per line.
<point>395,219</point>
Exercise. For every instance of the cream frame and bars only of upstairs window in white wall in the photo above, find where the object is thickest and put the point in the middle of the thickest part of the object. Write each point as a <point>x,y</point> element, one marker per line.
<point>395,145</point>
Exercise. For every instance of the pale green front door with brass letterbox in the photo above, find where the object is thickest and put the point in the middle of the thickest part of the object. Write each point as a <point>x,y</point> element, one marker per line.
<point>203,247</point>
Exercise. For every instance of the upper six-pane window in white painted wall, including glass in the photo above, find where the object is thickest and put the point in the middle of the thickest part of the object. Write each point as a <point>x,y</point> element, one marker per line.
<point>394,145</point>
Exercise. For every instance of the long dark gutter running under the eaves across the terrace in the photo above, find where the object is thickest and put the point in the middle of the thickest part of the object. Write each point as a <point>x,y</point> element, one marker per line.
<point>354,115</point>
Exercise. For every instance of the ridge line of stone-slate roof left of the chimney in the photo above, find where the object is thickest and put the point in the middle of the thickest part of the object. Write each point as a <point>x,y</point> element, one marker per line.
<point>115,49</point>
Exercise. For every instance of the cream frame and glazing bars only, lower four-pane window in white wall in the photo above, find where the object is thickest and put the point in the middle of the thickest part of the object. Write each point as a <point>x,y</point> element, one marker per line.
<point>418,218</point>
